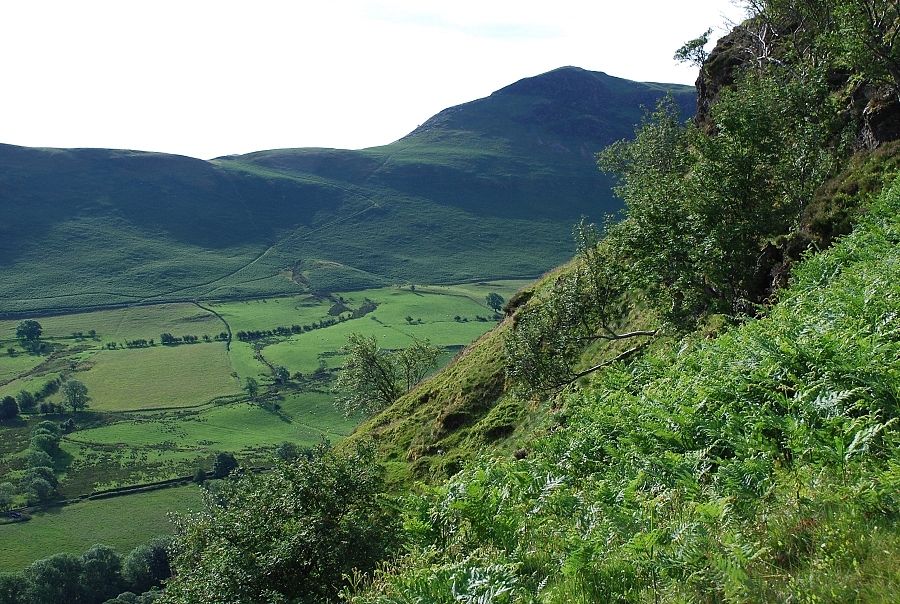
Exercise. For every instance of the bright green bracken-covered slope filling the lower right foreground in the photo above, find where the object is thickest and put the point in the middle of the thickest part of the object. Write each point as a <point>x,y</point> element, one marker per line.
<point>757,465</point>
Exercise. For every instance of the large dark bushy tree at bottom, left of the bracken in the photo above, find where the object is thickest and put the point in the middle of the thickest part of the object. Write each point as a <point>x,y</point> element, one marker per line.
<point>292,534</point>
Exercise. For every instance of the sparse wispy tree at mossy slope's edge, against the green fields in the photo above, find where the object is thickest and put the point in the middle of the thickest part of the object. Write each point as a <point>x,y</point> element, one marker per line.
<point>372,378</point>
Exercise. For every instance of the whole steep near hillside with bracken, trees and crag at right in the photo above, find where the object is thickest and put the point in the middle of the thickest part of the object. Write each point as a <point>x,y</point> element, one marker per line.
<point>702,406</point>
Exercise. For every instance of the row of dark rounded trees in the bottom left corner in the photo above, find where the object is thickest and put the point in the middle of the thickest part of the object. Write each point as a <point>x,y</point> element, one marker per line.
<point>97,576</point>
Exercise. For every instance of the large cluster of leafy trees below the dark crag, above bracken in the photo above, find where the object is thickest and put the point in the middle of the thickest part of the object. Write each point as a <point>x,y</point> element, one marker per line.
<point>707,217</point>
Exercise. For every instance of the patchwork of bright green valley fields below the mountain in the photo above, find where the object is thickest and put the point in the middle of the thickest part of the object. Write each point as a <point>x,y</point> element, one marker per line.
<point>160,412</point>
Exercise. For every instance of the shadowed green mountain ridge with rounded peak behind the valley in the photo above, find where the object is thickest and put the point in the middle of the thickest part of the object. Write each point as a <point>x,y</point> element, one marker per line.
<point>487,189</point>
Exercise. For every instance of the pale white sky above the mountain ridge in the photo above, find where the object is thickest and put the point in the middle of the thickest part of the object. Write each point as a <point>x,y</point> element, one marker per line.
<point>207,78</point>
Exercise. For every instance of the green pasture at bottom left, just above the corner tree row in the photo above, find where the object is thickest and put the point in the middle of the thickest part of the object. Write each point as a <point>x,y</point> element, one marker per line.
<point>121,522</point>
